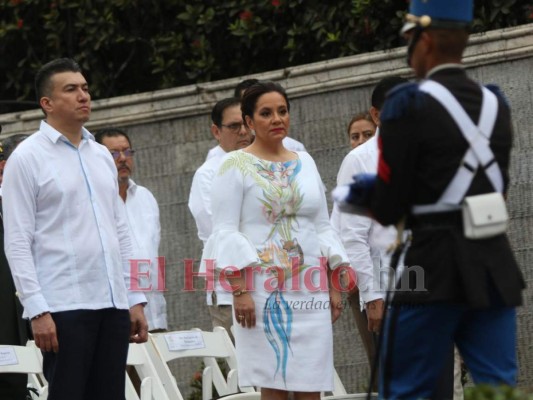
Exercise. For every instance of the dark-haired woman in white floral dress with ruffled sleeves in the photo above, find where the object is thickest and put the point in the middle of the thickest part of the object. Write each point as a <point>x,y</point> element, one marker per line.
<point>273,241</point>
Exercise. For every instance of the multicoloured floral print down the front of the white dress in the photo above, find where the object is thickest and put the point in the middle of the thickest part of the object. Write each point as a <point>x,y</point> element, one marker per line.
<point>281,200</point>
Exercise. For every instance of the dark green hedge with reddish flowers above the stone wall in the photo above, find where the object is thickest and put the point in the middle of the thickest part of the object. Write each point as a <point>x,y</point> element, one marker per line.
<point>130,46</point>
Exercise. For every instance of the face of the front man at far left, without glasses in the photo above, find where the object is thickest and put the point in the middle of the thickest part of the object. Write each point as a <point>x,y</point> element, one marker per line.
<point>69,100</point>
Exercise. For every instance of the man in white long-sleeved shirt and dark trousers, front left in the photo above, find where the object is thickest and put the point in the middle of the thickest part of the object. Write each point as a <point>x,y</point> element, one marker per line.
<point>67,243</point>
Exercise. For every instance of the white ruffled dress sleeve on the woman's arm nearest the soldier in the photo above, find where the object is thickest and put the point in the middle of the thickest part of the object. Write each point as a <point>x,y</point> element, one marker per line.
<point>330,244</point>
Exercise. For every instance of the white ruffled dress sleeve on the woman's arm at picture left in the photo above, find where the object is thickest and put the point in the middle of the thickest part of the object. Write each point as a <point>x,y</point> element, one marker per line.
<point>227,245</point>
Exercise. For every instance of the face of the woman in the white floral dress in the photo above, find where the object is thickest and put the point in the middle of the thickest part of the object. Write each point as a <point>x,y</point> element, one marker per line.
<point>271,117</point>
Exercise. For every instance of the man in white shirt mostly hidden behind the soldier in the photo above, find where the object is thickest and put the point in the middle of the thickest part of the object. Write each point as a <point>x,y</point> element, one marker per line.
<point>364,239</point>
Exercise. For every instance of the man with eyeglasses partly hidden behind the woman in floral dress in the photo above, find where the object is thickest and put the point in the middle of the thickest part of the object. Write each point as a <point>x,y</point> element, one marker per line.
<point>229,130</point>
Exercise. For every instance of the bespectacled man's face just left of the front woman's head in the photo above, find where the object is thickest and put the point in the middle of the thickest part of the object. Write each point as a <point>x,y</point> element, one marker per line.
<point>232,135</point>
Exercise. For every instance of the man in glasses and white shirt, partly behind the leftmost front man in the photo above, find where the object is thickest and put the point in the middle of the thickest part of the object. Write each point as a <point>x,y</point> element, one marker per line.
<point>142,213</point>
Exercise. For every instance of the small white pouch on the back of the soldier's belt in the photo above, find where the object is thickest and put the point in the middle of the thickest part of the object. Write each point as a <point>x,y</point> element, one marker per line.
<point>484,215</point>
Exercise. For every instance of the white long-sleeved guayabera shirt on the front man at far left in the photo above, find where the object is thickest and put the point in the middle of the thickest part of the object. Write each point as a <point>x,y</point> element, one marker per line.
<point>66,237</point>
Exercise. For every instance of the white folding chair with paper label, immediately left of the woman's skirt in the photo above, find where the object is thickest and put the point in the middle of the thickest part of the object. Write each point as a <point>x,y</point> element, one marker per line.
<point>212,346</point>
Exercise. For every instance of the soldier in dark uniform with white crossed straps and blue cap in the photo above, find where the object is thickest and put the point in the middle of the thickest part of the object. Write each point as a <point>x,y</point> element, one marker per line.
<point>443,140</point>
